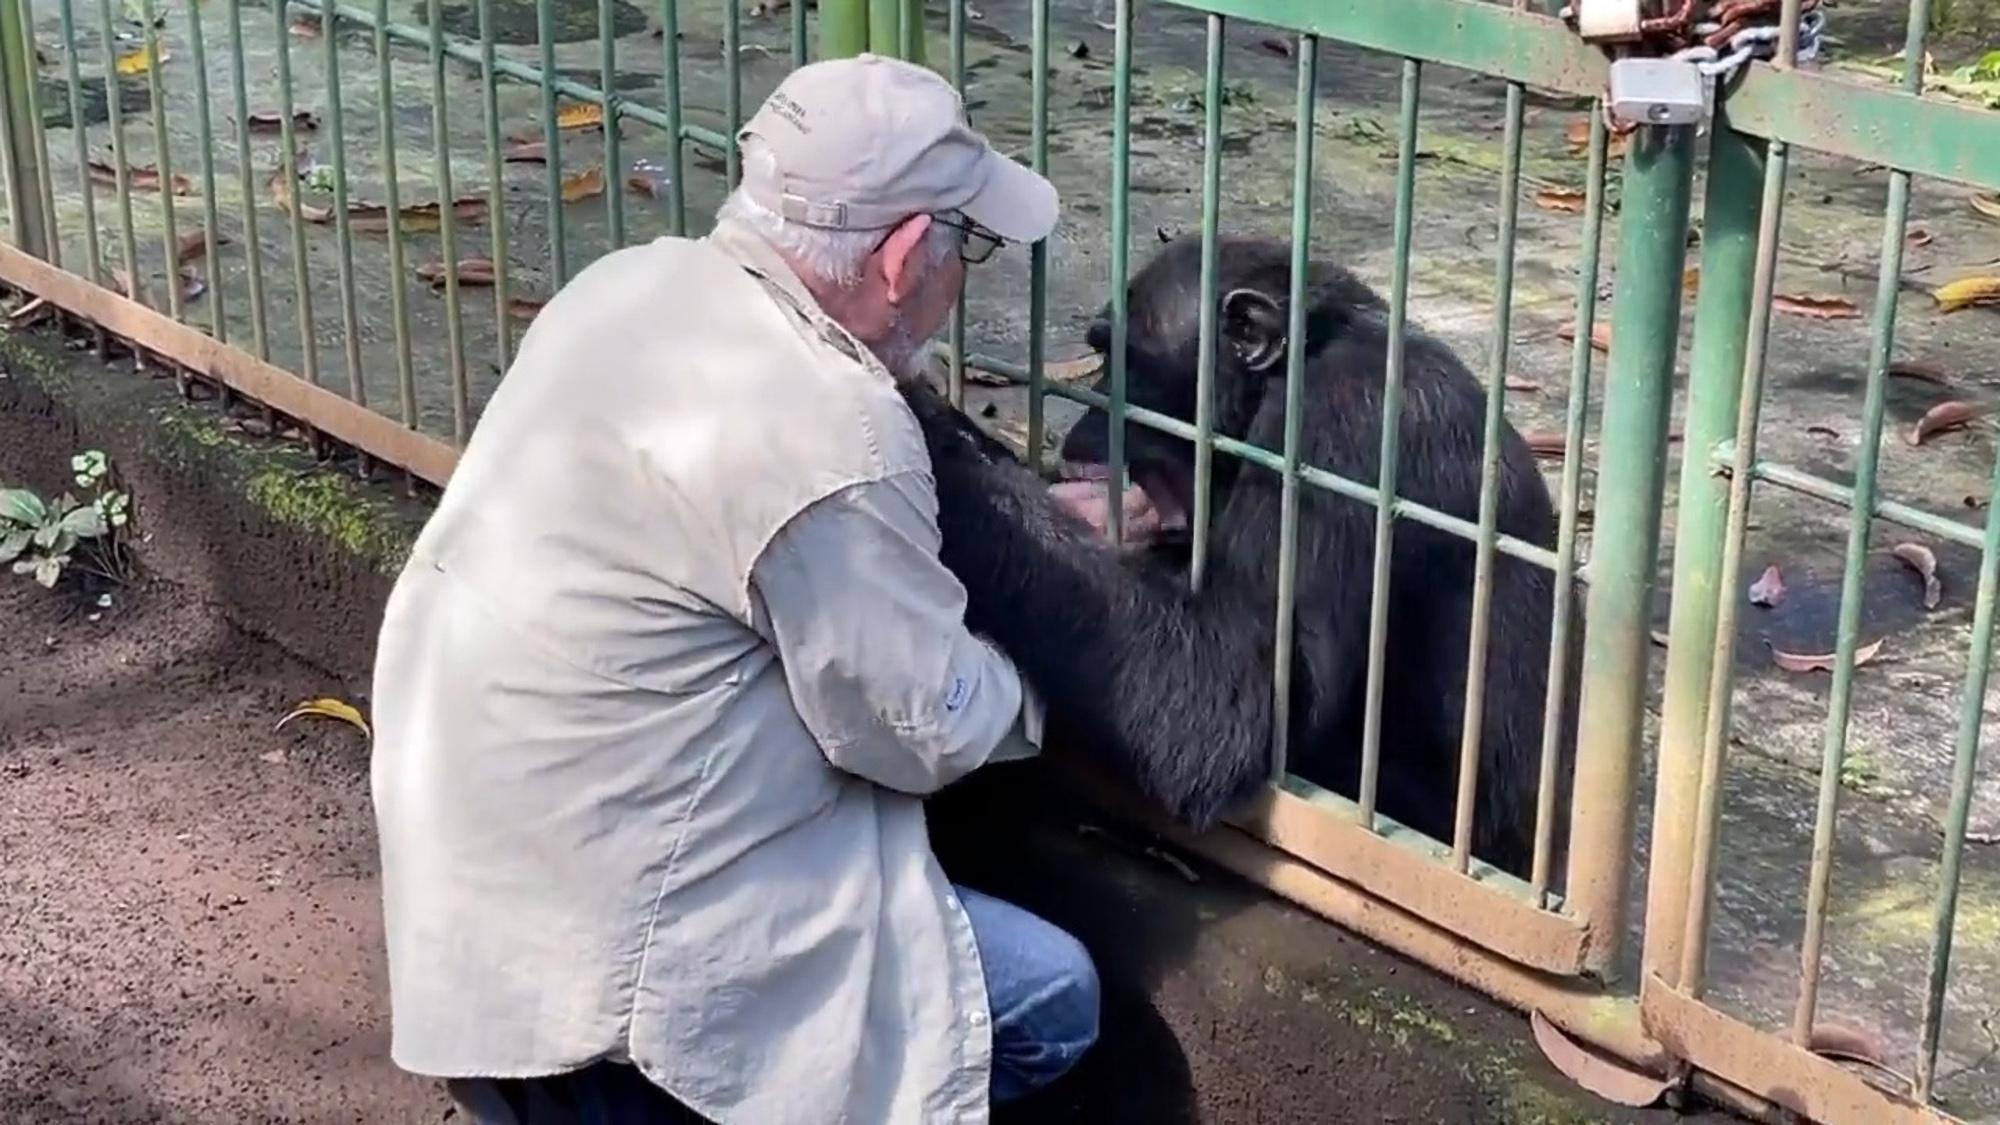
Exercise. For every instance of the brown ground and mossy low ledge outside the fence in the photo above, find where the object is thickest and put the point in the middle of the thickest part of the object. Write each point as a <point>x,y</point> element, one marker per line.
<point>189,912</point>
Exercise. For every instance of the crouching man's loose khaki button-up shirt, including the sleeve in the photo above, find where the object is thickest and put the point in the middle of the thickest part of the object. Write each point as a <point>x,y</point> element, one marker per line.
<point>657,702</point>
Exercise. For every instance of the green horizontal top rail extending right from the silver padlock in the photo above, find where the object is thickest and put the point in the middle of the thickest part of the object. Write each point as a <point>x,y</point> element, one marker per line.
<point>1895,129</point>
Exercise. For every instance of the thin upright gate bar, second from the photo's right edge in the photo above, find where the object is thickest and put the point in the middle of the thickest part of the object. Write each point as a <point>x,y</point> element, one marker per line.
<point>1847,640</point>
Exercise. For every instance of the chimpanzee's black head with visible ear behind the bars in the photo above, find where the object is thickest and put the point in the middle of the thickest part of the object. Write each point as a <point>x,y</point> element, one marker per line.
<point>1163,367</point>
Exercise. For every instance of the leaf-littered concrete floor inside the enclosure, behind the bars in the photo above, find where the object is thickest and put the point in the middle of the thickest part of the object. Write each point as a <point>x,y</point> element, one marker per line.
<point>1905,706</point>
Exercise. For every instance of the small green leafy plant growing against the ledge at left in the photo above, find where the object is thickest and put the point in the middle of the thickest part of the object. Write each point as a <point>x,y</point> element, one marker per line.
<point>47,537</point>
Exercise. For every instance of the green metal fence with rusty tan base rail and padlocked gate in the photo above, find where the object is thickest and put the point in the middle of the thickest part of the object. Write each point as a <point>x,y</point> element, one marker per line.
<point>283,255</point>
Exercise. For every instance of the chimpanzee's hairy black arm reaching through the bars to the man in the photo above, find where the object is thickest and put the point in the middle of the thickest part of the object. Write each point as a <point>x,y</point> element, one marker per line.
<point>1171,690</point>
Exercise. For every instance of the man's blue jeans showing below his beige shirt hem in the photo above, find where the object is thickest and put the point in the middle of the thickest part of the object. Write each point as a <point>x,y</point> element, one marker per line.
<point>1041,988</point>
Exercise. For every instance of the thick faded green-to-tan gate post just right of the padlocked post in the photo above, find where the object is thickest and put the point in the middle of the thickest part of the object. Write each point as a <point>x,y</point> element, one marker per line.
<point>1723,325</point>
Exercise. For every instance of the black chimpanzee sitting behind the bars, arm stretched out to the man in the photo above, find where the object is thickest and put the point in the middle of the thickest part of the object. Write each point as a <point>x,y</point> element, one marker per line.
<point>1177,688</point>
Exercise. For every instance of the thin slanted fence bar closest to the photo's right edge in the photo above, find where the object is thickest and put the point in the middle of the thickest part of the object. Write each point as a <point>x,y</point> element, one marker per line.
<point>1959,816</point>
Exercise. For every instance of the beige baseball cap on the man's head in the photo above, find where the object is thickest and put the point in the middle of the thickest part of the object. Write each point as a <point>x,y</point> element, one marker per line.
<point>865,143</point>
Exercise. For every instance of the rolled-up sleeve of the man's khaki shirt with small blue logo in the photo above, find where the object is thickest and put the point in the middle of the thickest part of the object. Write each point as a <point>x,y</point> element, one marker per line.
<point>871,632</point>
